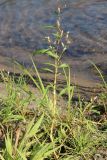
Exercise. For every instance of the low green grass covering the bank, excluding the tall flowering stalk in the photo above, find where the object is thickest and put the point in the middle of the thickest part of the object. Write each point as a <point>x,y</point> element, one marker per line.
<point>42,133</point>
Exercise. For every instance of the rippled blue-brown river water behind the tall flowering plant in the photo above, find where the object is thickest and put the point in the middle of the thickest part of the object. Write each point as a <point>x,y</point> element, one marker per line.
<point>22,31</point>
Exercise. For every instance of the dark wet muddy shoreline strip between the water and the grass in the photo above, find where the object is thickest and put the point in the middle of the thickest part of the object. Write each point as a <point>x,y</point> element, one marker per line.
<point>83,91</point>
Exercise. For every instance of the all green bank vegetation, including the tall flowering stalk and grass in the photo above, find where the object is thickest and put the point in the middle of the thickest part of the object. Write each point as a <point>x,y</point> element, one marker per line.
<point>46,131</point>
